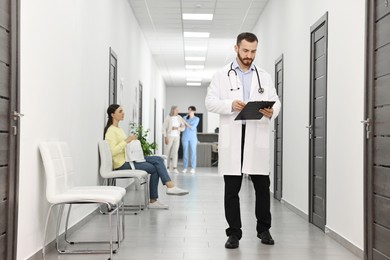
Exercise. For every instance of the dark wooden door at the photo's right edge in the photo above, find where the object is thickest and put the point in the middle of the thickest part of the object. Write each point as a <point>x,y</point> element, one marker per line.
<point>377,134</point>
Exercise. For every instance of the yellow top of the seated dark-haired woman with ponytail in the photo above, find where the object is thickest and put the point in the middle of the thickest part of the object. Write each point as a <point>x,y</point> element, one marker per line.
<point>115,136</point>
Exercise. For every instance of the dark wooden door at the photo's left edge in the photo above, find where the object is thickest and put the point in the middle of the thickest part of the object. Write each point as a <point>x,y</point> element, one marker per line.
<point>8,127</point>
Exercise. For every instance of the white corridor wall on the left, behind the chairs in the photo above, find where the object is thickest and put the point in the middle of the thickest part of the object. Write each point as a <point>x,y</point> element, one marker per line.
<point>64,93</point>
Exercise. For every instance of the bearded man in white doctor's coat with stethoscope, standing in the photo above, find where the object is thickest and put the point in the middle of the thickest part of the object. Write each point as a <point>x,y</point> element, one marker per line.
<point>243,146</point>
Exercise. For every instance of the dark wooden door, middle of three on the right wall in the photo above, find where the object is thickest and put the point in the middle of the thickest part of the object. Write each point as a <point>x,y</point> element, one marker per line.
<point>317,127</point>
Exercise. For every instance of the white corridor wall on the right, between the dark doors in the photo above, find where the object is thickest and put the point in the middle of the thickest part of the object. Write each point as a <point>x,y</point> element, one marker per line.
<point>284,27</point>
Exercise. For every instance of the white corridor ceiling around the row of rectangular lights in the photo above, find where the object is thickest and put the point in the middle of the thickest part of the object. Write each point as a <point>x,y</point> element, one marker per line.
<point>162,24</point>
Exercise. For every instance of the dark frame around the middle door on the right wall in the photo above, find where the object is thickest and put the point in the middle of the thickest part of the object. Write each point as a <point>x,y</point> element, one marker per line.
<point>318,23</point>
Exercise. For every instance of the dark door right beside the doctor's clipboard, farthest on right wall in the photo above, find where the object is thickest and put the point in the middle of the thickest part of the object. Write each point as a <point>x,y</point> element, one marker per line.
<point>278,132</point>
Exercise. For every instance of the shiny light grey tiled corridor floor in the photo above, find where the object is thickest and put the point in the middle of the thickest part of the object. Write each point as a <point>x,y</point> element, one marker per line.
<point>194,229</point>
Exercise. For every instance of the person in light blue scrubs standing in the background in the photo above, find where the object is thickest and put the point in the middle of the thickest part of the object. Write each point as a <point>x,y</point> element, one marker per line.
<point>189,138</point>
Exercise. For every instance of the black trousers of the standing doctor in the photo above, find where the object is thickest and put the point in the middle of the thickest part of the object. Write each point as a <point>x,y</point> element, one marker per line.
<point>261,185</point>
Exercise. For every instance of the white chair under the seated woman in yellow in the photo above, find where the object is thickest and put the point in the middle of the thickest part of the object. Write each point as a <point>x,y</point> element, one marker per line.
<point>109,175</point>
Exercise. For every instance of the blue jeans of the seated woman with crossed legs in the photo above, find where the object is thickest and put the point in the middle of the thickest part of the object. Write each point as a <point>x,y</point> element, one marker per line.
<point>155,166</point>
